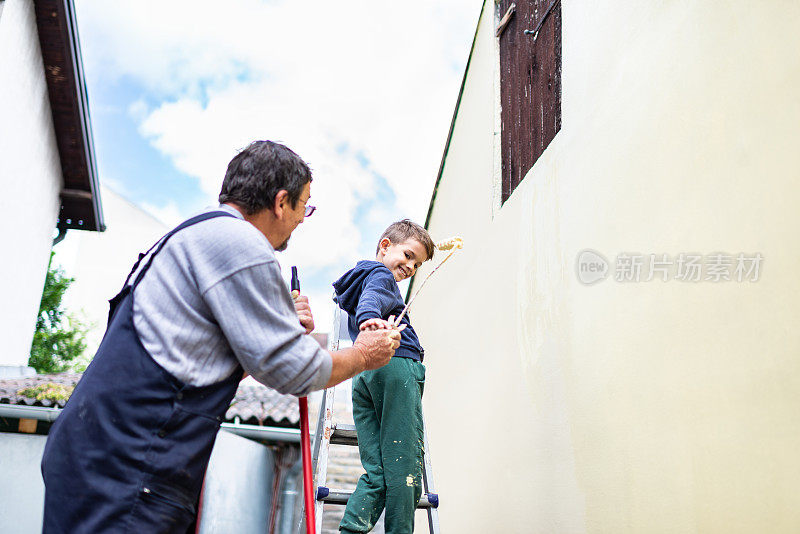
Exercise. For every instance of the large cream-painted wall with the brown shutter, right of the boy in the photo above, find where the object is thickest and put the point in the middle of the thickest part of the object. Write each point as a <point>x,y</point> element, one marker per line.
<point>626,408</point>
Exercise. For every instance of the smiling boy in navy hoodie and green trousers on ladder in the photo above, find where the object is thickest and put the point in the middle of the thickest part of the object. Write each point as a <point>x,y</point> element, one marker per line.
<point>387,402</point>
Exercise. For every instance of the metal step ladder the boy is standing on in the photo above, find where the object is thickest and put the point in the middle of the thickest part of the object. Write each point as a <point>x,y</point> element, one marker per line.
<point>330,433</point>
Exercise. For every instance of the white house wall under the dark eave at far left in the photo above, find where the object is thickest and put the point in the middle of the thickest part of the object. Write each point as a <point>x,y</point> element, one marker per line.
<point>30,180</point>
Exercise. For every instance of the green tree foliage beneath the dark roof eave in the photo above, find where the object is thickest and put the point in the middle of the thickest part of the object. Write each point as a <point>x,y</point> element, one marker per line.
<point>60,338</point>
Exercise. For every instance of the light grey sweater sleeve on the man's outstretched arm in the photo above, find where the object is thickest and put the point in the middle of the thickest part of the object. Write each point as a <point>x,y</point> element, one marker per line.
<point>255,312</point>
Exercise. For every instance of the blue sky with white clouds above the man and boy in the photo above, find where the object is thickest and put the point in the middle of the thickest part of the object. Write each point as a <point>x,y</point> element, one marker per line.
<point>363,91</point>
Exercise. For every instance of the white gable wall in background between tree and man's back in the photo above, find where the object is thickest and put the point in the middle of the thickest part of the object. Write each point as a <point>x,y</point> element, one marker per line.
<point>100,261</point>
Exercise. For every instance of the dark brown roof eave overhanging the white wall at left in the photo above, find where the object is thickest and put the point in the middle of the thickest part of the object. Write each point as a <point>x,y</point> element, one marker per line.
<point>66,87</point>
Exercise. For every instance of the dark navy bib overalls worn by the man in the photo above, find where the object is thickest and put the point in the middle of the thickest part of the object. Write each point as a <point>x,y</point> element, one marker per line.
<point>130,449</point>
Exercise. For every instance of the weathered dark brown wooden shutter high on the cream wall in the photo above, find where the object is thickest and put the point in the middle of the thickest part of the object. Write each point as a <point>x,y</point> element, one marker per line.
<point>530,85</point>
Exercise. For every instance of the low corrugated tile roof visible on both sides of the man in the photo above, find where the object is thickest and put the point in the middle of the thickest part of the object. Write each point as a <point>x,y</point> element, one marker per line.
<point>253,404</point>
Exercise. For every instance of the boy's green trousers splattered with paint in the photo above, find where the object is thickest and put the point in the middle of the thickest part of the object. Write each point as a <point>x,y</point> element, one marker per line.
<point>387,408</point>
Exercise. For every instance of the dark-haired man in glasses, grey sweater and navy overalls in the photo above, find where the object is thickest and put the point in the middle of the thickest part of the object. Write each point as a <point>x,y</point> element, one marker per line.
<point>204,306</point>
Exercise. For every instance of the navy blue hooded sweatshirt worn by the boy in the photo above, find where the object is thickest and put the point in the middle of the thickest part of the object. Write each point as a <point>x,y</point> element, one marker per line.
<point>369,291</point>
